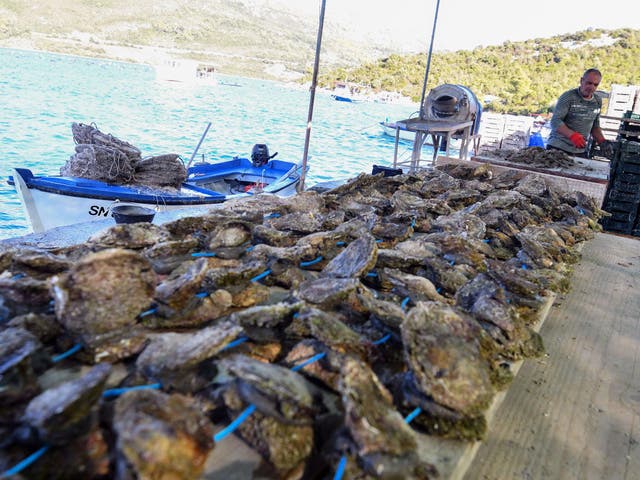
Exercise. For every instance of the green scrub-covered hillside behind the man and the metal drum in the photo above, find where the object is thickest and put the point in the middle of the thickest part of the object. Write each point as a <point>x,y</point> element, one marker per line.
<point>515,77</point>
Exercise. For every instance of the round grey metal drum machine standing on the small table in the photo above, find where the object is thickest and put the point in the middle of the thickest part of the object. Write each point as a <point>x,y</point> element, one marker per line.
<point>453,103</point>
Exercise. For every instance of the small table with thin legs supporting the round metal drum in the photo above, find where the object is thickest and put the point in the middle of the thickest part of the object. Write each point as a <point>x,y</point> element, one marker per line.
<point>439,130</point>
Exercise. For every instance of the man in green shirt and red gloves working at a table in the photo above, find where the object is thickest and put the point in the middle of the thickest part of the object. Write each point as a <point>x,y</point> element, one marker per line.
<point>576,117</point>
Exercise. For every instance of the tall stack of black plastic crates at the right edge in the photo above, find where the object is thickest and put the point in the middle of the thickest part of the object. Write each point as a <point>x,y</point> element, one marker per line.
<point>622,198</point>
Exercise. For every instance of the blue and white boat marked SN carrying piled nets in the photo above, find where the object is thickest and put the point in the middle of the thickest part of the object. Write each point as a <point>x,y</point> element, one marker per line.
<point>54,201</point>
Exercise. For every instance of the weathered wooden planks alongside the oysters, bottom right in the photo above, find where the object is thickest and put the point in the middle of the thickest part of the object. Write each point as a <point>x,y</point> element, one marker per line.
<point>575,414</point>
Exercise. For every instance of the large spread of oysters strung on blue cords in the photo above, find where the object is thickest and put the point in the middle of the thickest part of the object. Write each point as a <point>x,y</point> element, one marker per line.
<point>344,325</point>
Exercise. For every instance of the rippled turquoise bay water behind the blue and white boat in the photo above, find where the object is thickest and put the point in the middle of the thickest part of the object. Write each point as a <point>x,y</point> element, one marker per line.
<point>42,94</point>
